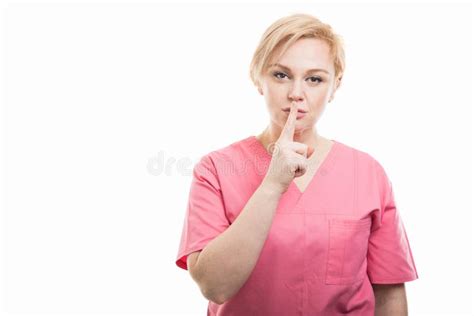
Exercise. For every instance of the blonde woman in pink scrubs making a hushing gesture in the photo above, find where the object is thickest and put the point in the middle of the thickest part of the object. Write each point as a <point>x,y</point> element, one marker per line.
<point>290,222</point>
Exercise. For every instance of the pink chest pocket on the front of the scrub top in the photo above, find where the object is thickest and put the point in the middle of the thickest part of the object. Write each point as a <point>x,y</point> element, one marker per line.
<point>347,253</point>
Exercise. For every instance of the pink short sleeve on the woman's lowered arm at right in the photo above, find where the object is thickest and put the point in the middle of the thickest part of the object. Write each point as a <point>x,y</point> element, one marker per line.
<point>389,256</point>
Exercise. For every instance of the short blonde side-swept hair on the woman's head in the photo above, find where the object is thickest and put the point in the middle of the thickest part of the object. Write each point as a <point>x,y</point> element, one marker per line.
<point>287,30</point>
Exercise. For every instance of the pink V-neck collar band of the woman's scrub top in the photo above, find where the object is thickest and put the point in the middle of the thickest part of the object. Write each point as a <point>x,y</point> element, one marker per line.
<point>322,170</point>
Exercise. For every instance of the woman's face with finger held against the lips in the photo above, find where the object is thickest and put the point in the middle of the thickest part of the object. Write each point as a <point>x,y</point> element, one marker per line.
<point>293,80</point>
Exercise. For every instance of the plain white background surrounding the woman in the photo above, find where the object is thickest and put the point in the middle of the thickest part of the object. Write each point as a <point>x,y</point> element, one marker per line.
<point>107,106</point>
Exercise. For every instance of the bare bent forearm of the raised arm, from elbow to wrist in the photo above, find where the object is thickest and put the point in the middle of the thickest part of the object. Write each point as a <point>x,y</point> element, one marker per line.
<point>225,264</point>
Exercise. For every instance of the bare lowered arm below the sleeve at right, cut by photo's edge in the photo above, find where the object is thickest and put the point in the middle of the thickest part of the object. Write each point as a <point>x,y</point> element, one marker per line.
<point>390,300</point>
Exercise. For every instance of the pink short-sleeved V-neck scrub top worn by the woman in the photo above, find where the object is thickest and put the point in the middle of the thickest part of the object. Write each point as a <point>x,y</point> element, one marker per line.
<point>326,245</point>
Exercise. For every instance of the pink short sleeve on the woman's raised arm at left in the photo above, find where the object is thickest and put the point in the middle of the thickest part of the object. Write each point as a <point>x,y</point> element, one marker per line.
<point>205,216</point>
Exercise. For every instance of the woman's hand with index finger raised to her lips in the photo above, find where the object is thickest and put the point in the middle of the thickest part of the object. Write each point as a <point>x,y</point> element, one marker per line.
<point>289,158</point>
